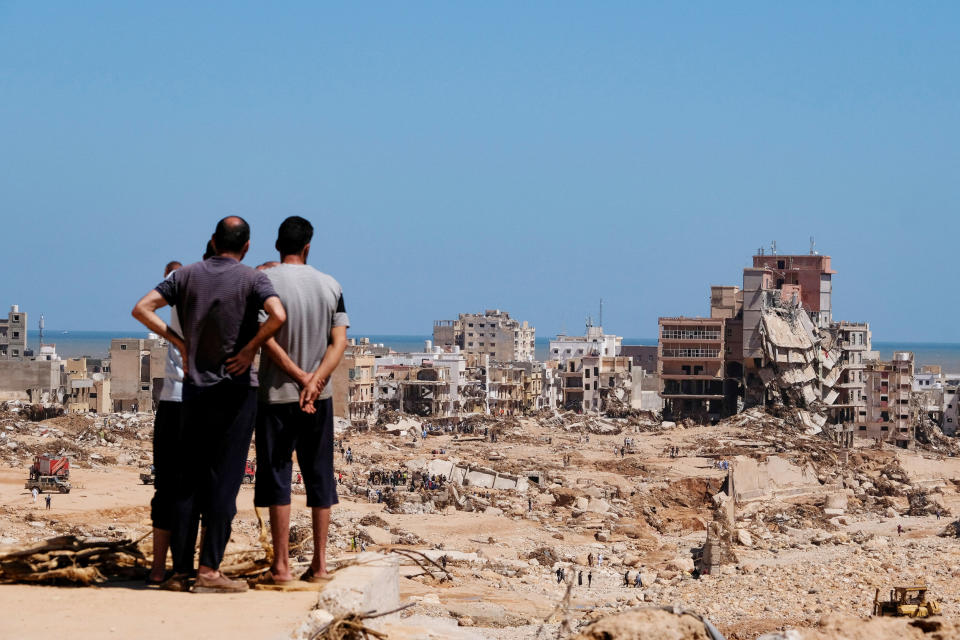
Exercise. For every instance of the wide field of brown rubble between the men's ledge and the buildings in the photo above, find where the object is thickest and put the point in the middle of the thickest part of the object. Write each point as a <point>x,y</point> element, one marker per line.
<point>758,522</point>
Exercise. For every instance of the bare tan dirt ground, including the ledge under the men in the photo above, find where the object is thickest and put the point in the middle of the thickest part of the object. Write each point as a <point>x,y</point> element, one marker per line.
<point>643,512</point>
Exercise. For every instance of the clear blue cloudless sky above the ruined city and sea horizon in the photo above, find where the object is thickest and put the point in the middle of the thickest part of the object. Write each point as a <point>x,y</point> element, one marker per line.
<point>454,157</point>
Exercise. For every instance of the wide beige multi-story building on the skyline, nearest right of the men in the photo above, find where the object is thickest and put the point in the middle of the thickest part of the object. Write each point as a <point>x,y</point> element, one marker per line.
<point>493,333</point>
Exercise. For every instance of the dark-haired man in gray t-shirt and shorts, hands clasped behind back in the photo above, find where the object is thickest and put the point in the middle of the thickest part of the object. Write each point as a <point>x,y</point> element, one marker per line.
<point>295,410</point>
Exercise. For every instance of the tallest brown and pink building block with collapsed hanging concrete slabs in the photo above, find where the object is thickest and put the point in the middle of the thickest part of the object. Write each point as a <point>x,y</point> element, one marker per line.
<point>771,342</point>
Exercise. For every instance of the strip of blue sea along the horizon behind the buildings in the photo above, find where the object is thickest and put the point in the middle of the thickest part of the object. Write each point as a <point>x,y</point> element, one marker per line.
<point>96,344</point>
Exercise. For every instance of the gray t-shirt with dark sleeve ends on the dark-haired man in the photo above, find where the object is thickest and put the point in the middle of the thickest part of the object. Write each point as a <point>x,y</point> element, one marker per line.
<point>314,304</point>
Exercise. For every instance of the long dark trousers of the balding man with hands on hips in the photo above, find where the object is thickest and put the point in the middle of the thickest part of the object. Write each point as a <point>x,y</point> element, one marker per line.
<point>218,424</point>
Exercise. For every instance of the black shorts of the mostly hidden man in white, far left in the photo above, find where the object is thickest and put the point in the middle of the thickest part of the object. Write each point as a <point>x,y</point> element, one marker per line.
<point>167,426</point>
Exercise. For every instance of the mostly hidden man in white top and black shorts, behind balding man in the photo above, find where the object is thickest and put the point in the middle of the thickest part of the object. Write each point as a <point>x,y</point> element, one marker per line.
<point>166,436</point>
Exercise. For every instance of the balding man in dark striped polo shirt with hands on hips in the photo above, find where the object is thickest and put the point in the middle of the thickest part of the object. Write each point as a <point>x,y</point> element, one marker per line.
<point>217,302</point>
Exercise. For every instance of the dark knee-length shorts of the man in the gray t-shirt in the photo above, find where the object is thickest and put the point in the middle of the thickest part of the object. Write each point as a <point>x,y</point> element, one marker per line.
<point>283,429</point>
